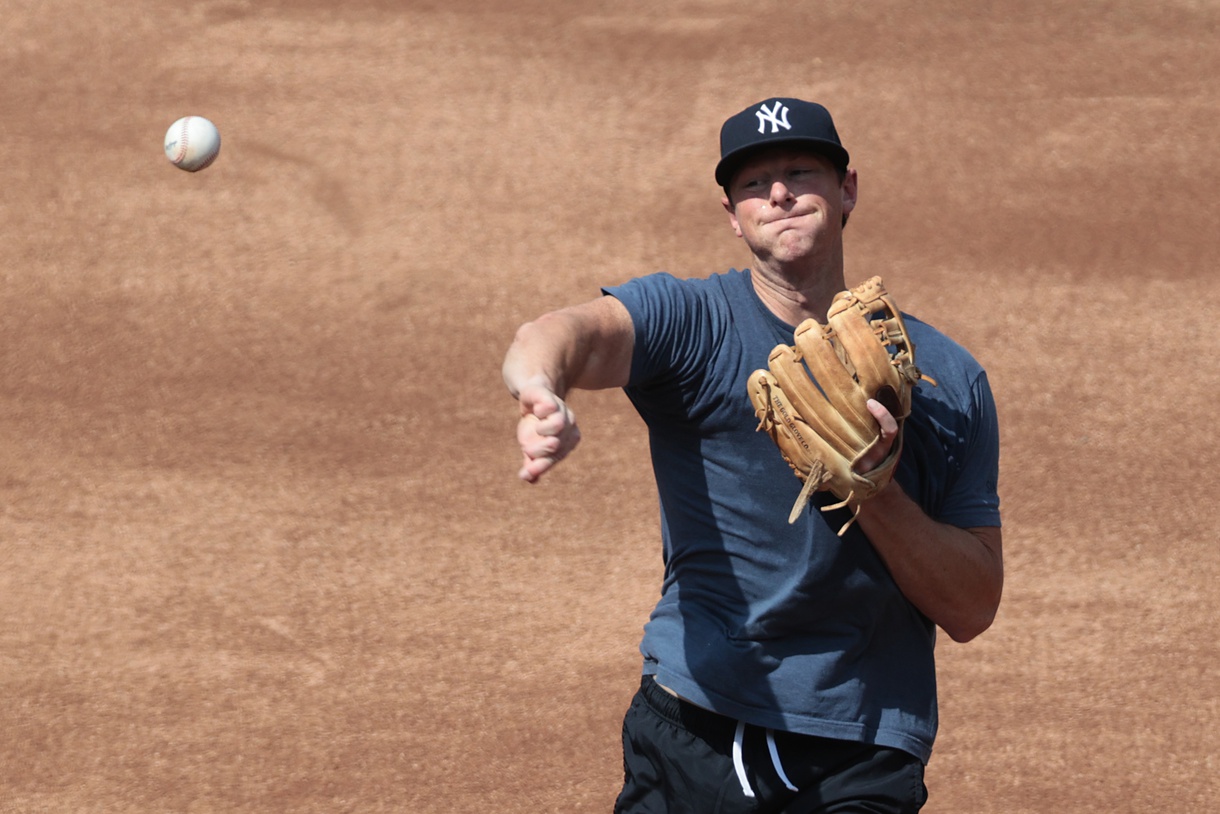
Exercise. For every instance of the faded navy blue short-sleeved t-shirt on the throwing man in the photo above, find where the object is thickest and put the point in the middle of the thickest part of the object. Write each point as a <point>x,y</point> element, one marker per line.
<point>790,627</point>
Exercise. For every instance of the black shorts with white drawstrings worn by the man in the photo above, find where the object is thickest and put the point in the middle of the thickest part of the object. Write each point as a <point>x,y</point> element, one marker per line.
<point>683,760</point>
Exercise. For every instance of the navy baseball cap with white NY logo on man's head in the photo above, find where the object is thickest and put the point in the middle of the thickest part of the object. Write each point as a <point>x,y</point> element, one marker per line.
<point>778,121</point>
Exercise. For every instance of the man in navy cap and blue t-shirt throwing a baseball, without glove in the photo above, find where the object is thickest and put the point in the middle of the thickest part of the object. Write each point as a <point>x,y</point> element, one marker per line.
<point>785,668</point>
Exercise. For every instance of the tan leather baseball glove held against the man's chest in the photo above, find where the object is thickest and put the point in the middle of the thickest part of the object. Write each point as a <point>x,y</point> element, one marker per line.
<point>813,400</point>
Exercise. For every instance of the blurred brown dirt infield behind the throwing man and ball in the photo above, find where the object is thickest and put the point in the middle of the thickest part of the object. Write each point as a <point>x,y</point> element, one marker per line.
<point>262,544</point>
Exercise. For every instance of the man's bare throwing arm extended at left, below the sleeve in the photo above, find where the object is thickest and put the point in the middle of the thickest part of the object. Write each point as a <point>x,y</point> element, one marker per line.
<point>584,347</point>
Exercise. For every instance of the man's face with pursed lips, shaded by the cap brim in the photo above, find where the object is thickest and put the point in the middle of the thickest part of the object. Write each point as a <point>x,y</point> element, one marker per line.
<point>789,203</point>
